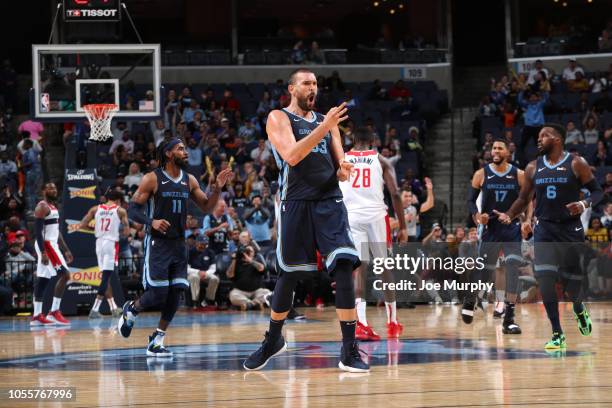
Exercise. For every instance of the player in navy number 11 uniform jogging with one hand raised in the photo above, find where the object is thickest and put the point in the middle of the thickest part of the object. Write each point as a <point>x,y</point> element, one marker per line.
<point>165,190</point>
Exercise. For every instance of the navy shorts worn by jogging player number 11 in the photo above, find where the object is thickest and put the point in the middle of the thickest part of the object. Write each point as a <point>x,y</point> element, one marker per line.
<point>165,263</point>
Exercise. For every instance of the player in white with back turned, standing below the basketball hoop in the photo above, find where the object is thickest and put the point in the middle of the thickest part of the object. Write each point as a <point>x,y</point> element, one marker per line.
<point>109,218</point>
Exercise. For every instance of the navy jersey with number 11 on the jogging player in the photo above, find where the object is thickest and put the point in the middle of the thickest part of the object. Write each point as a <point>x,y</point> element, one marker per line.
<point>170,203</point>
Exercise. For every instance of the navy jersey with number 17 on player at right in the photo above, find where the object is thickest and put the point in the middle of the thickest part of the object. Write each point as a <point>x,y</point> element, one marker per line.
<point>499,190</point>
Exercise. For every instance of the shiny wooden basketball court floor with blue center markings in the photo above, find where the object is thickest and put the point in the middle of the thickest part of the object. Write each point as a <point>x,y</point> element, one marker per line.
<point>438,362</point>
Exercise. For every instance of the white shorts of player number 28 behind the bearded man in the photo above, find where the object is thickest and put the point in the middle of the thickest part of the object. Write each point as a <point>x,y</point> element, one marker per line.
<point>371,237</point>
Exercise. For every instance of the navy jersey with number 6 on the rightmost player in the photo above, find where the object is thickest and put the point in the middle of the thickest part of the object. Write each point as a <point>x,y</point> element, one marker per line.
<point>555,187</point>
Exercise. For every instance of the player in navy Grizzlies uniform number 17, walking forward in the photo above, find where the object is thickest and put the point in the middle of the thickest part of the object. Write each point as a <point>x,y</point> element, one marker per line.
<point>500,183</point>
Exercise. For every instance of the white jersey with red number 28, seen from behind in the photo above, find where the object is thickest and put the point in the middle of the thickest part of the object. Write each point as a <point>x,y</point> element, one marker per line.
<point>364,191</point>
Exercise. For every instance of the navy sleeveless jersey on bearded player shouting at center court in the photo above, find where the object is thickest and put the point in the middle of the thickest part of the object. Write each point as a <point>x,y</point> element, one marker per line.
<point>314,178</point>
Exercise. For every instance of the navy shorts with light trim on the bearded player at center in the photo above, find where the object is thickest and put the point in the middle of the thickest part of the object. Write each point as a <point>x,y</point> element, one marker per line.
<point>305,227</point>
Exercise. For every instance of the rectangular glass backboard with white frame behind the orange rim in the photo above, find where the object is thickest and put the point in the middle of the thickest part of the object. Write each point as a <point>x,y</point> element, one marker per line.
<point>68,76</point>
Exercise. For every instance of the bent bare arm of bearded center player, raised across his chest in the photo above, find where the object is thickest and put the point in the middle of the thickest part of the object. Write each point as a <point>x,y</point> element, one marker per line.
<point>281,135</point>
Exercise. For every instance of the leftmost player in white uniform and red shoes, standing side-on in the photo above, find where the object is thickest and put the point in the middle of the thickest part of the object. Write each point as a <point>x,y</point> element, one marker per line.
<point>51,262</point>
